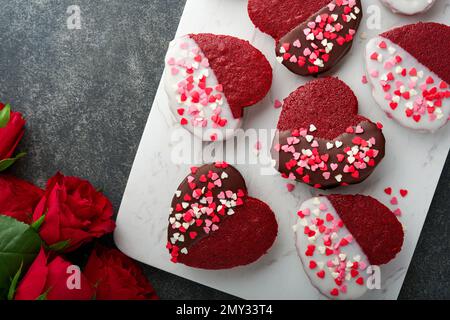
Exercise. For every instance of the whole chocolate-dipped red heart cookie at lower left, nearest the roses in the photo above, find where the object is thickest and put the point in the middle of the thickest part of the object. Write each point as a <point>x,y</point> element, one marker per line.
<point>214,224</point>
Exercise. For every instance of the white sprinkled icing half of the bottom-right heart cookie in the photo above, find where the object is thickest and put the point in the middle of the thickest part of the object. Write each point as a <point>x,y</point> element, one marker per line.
<point>331,257</point>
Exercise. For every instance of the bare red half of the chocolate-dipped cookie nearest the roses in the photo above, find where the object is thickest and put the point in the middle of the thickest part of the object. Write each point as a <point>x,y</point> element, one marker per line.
<point>240,240</point>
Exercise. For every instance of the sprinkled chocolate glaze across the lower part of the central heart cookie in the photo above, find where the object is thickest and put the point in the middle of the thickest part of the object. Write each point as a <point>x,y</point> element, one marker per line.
<point>348,159</point>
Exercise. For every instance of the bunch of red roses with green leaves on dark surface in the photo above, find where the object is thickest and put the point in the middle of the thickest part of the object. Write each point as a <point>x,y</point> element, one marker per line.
<point>39,227</point>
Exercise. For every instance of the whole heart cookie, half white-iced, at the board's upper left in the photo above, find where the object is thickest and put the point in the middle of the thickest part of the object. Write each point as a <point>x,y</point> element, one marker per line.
<point>210,79</point>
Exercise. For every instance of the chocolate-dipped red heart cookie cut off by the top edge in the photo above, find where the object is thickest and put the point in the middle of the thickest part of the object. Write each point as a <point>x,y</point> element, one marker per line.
<point>312,35</point>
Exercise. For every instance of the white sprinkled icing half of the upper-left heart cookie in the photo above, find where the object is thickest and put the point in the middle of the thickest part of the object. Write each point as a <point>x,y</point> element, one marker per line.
<point>195,96</point>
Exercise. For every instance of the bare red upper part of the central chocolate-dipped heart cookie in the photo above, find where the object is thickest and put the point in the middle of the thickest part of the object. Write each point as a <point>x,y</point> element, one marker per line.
<point>327,103</point>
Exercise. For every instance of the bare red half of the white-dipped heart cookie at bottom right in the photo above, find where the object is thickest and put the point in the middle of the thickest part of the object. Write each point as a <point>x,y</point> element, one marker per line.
<point>372,224</point>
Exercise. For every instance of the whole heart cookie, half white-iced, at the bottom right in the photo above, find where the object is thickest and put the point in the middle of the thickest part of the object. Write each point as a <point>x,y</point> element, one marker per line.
<point>339,236</point>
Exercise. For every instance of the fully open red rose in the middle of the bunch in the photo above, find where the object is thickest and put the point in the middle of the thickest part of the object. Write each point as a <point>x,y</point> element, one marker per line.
<point>75,213</point>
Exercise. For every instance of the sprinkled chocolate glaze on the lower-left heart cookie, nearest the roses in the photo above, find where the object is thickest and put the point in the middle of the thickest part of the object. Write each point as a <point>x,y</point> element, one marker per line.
<point>188,217</point>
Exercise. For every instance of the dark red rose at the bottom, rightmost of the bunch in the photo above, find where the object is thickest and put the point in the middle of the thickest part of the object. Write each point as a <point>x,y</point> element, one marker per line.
<point>117,277</point>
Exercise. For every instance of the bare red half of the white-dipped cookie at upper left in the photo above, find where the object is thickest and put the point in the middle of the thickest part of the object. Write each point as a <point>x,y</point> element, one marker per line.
<point>243,71</point>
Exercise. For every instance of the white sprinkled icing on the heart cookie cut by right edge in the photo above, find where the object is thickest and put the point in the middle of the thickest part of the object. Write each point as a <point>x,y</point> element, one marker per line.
<point>405,89</point>
